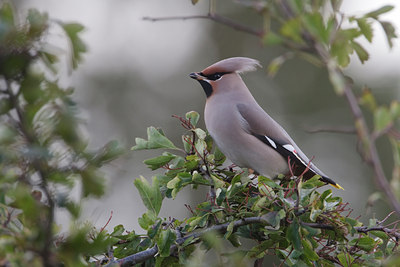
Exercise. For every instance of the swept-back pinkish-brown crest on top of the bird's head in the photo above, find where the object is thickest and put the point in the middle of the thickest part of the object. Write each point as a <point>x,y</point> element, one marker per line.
<point>233,64</point>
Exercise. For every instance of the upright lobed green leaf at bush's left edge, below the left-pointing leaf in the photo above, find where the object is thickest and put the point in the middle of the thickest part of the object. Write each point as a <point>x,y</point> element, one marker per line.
<point>151,195</point>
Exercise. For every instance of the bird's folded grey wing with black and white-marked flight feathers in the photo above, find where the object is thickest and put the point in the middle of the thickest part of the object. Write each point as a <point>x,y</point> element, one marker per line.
<point>258,123</point>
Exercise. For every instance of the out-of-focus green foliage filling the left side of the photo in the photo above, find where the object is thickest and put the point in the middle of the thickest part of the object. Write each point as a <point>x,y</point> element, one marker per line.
<point>43,153</point>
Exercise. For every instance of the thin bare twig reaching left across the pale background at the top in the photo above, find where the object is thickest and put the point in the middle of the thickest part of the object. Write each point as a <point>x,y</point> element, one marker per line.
<point>214,17</point>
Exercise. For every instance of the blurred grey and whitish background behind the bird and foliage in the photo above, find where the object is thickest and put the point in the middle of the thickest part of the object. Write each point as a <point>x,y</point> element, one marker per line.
<point>135,75</point>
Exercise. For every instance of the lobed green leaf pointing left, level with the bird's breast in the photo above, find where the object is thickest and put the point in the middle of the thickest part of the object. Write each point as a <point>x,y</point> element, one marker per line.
<point>156,139</point>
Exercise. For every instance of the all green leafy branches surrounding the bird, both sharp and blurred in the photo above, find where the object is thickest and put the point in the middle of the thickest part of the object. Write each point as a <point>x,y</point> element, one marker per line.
<point>298,223</point>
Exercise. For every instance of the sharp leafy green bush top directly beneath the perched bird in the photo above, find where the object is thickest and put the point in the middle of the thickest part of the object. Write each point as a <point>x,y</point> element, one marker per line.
<point>289,218</point>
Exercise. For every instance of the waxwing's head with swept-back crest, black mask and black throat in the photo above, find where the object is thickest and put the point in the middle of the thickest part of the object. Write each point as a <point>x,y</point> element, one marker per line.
<point>217,74</point>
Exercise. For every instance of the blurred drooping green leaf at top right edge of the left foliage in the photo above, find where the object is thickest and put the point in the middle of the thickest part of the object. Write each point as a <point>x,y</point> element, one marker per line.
<point>78,47</point>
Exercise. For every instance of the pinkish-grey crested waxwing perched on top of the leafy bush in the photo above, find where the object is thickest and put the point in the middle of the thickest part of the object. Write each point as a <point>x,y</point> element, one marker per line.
<point>243,131</point>
